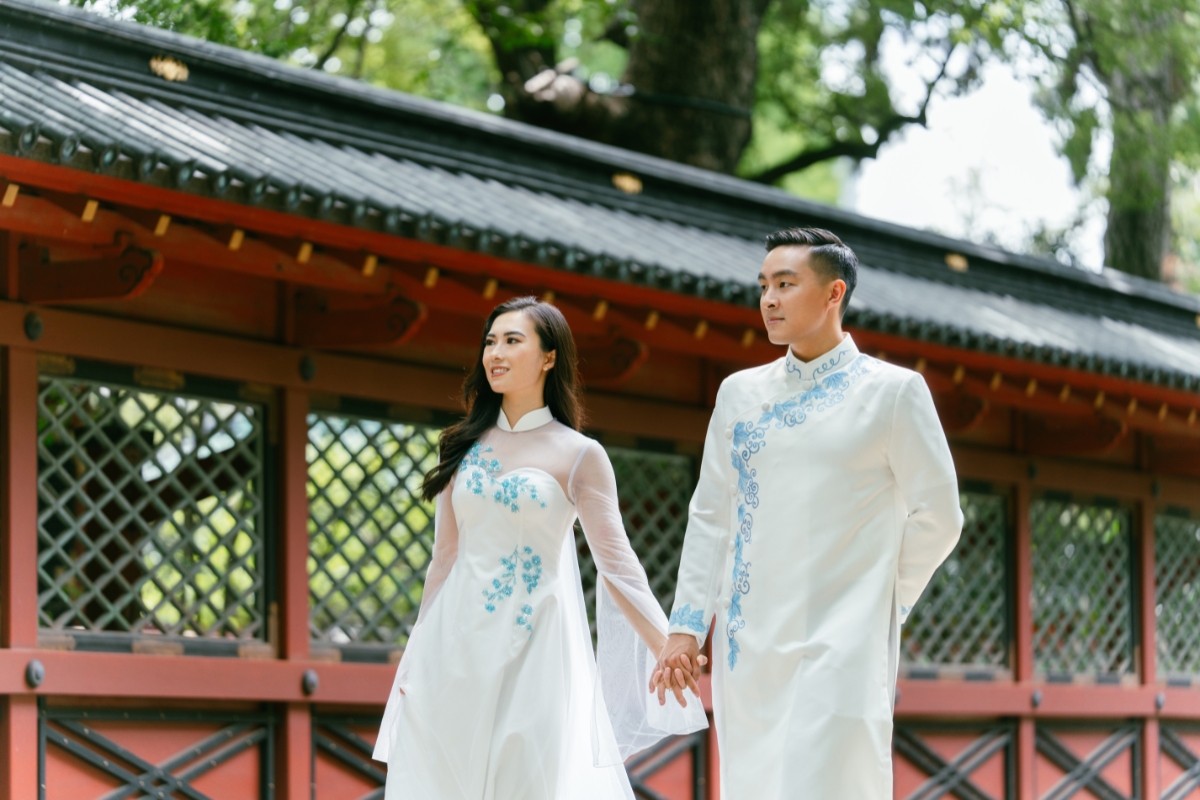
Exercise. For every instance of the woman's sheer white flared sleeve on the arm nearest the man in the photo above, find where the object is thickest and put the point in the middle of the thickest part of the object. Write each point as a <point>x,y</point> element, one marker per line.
<point>625,659</point>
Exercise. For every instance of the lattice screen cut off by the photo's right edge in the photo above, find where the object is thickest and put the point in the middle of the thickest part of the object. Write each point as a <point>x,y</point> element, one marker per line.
<point>1178,596</point>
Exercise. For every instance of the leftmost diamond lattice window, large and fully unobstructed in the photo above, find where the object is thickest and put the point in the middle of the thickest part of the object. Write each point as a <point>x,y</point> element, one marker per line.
<point>151,512</point>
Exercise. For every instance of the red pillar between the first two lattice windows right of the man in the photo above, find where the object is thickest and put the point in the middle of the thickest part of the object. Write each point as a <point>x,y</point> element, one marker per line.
<point>1023,666</point>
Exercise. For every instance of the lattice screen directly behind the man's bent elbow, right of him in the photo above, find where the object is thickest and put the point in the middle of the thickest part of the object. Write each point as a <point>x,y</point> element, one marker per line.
<point>962,621</point>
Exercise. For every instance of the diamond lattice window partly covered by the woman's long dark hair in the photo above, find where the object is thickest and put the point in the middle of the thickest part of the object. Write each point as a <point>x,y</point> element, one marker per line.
<point>370,536</point>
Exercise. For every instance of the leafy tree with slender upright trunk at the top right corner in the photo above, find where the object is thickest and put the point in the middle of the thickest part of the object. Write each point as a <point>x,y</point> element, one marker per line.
<point>1127,69</point>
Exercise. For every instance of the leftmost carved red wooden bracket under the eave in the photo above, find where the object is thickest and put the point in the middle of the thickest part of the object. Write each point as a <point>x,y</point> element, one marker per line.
<point>110,278</point>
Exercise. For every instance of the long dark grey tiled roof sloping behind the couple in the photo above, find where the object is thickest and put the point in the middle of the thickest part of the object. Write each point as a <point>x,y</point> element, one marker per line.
<point>77,89</point>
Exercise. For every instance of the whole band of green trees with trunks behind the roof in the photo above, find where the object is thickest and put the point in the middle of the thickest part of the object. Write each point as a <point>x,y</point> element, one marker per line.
<point>651,76</point>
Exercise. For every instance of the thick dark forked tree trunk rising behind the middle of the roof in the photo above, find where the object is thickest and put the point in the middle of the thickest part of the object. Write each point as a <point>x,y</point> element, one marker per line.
<point>692,75</point>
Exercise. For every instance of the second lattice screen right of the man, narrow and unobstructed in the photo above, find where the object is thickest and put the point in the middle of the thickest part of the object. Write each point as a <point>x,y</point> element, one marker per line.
<point>1083,590</point>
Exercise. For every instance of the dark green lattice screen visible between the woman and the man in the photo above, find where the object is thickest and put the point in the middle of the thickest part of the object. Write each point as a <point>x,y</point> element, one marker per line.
<point>655,490</point>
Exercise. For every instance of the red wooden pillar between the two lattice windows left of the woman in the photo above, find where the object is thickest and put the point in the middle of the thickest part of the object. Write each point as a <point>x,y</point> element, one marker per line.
<point>296,743</point>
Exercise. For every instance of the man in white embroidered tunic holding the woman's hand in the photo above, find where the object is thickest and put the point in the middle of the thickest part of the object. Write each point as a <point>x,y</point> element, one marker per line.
<point>827,498</point>
